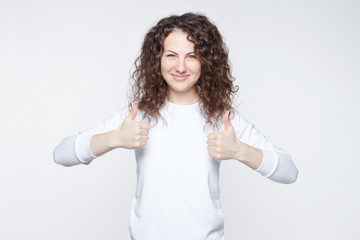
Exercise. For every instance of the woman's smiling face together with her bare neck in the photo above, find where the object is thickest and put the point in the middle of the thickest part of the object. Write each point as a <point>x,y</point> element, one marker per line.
<point>180,68</point>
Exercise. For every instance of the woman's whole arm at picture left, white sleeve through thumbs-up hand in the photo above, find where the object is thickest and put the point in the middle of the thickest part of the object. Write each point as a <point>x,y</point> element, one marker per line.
<point>102,138</point>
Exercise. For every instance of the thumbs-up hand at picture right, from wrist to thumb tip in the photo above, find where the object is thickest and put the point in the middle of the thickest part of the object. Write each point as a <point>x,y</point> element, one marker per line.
<point>224,145</point>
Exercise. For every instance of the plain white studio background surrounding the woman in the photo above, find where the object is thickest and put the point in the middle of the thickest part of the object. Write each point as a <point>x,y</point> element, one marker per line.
<point>64,65</point>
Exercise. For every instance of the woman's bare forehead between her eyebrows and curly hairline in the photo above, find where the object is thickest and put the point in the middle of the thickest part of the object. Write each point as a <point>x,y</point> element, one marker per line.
<point>177,41</point>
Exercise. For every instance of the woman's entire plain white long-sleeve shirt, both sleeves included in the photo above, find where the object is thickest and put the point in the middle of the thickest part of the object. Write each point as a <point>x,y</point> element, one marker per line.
<point>177,193</point>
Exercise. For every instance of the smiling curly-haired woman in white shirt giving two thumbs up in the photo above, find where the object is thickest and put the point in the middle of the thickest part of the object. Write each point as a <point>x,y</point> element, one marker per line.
<point>181,125</point>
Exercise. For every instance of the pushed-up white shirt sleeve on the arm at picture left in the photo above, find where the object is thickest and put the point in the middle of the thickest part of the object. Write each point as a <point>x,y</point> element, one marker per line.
<point>74,149</point>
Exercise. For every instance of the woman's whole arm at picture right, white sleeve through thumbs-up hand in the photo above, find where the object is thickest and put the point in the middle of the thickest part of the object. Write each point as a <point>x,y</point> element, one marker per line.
<point>246,144</point>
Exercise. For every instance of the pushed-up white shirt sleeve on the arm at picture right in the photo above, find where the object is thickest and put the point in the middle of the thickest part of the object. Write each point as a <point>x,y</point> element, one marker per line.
<point>277,165</point>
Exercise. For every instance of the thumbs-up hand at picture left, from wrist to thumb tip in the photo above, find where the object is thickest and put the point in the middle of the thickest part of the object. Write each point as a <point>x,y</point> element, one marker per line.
<point>132,134</point>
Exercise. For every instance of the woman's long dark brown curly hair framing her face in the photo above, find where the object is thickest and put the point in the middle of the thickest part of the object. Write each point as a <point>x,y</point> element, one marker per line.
<point>215,84</point>
